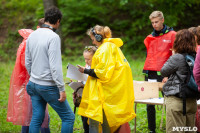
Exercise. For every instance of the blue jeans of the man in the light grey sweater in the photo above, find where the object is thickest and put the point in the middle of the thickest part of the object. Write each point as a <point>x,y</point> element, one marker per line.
<point>40,96</point>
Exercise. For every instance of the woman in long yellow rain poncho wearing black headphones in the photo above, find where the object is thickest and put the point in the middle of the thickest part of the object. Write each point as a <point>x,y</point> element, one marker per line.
<point>108,95</point>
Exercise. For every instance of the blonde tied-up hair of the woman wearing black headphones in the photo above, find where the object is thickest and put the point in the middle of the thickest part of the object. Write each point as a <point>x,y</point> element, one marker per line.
<point>101,30</point>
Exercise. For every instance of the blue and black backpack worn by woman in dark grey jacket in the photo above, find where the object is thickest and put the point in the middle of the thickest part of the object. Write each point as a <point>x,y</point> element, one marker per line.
<point>188,88</point>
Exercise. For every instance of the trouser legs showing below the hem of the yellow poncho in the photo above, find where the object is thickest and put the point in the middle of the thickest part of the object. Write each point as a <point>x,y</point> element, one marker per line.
<point>94,125</point>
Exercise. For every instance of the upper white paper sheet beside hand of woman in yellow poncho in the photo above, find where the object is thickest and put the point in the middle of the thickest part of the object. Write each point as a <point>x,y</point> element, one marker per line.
<point>74,73</point>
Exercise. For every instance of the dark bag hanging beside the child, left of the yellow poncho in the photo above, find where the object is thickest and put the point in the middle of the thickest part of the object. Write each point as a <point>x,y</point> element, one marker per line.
<point>77,98</point>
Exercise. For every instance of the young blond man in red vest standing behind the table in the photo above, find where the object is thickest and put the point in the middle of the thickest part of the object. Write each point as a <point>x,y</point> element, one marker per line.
<point>158,44</point>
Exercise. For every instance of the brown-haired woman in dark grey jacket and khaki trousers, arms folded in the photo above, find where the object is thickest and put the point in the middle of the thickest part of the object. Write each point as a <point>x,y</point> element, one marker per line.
<point>177,70</point>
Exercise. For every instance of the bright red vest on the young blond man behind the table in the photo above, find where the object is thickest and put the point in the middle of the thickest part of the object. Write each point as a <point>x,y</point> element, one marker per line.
<point>158,50</point>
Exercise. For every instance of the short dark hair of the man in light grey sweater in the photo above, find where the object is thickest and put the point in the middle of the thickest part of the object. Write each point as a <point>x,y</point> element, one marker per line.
<point>52,15</point>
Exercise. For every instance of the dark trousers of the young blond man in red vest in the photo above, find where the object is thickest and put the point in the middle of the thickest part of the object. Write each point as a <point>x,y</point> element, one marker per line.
<point>151,112</point>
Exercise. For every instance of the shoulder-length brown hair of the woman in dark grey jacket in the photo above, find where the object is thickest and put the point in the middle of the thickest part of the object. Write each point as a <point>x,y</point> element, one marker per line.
<point>184,42</point>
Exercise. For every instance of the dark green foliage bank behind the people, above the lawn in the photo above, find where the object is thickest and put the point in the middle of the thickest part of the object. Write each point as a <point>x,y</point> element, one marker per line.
<point>128,19</point>
